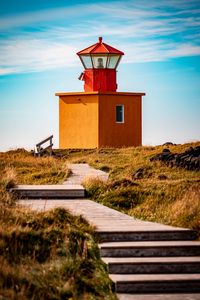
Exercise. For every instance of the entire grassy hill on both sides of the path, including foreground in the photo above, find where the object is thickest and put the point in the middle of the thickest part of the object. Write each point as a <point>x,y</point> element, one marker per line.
<point>53,255</point>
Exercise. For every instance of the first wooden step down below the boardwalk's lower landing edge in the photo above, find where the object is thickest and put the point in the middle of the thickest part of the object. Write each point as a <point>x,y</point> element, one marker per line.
<point>150,248</point>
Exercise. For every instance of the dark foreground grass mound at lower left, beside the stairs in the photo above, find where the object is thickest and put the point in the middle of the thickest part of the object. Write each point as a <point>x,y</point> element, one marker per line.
<point>49,255</point>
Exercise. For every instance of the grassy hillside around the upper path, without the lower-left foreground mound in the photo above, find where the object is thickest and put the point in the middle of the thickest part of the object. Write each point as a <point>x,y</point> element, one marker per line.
<point>139,184</point>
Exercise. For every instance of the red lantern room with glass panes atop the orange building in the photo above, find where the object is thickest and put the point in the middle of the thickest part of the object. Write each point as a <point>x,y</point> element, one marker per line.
<point>100,62</point>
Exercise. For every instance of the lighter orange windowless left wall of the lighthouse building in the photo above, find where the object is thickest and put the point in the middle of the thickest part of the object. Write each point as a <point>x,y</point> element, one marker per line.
<point>78,121</point>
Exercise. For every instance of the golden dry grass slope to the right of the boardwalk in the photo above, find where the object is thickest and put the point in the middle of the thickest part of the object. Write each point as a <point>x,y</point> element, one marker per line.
<point>173,200</point>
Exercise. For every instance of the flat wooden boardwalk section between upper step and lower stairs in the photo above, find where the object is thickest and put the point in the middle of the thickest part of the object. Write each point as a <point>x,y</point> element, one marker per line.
<point>105,219</point>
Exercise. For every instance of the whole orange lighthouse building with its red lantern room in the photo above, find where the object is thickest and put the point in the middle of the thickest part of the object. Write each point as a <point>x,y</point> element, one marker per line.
<point>100,116</point>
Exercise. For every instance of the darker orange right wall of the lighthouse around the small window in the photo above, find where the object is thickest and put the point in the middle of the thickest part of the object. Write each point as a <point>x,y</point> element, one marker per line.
<point>112,134</point>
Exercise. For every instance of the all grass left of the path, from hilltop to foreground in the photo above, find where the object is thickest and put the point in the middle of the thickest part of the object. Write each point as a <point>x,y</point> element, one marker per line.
<point>45,255</point>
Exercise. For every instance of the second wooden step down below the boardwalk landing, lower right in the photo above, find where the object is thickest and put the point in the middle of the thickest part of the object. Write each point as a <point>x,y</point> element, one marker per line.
<point>152,265</point>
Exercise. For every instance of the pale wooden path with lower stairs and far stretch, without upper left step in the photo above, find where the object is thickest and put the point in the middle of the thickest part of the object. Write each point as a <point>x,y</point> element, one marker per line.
<point>142,257</point>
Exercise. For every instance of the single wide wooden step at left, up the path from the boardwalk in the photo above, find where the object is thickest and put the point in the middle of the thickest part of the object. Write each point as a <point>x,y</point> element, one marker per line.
<point>49,191</point>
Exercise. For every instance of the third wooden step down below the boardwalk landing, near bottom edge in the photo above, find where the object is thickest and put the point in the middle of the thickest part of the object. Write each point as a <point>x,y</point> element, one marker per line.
<point>156,283</point>
